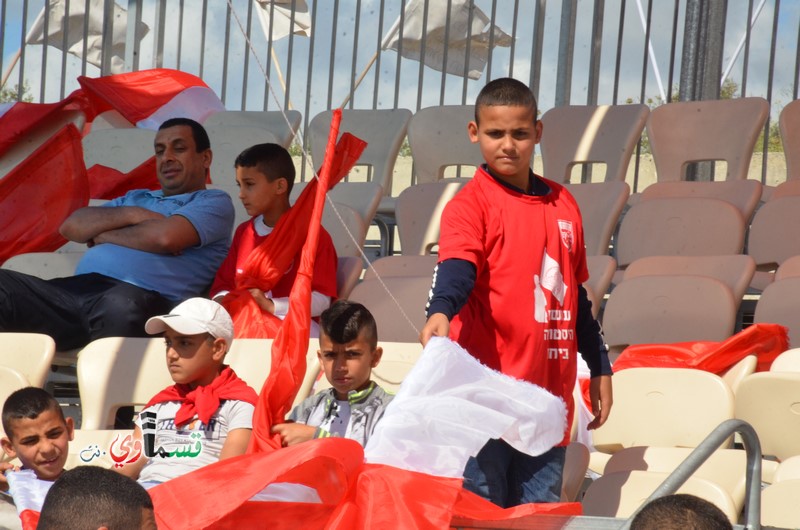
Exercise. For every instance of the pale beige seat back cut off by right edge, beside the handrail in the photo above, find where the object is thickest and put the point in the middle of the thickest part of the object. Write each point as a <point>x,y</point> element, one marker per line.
<point>768,401</point>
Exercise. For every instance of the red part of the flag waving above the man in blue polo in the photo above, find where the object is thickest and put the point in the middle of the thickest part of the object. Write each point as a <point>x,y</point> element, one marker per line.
<point>136,95</point>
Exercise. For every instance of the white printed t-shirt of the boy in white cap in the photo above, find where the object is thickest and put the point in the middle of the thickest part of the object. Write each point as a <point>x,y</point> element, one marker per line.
<point>194,445</point>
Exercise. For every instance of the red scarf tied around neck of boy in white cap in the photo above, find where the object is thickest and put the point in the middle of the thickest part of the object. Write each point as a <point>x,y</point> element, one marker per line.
<point>204,400</point>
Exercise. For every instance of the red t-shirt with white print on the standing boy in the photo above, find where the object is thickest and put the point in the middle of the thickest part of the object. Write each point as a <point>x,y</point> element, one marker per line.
<point>519,245</point>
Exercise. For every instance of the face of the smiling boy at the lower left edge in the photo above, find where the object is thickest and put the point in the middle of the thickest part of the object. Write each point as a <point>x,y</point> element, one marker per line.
<point>41,444</point>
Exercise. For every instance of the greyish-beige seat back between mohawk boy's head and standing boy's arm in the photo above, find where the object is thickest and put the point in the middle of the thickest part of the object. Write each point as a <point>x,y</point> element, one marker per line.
<point>411,293</point>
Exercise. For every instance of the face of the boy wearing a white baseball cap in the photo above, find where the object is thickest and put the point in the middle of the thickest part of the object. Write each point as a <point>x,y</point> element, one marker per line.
<point>193,360</point>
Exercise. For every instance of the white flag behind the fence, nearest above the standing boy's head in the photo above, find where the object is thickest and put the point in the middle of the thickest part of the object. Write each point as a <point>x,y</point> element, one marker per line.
<point>459,32</point>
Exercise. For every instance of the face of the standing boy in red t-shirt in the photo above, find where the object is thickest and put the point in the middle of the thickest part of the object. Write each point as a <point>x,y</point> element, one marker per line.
<point>507,136</point>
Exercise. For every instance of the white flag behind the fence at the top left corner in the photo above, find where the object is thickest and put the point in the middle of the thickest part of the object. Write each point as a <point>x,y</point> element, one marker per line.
<point>73,24</point>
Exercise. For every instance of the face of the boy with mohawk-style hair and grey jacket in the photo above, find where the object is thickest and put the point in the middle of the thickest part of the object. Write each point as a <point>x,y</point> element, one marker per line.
<point>348,366</point>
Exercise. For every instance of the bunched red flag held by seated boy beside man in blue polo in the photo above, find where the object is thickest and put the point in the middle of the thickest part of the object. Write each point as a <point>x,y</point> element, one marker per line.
<point>266,264</point>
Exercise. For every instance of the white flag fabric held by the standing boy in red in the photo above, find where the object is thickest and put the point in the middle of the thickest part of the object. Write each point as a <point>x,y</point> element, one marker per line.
<point>450,405</point>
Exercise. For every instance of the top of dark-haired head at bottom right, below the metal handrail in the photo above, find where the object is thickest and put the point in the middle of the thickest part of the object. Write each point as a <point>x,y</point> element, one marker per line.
<point>680,512</point>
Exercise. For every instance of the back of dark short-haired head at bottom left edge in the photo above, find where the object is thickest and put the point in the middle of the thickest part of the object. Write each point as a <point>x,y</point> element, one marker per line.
<point>87,497</point>
